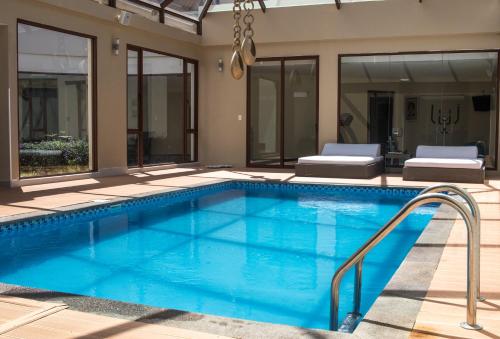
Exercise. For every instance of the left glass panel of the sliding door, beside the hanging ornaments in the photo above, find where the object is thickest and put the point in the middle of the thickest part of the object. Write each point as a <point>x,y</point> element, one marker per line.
<point>265,114</point>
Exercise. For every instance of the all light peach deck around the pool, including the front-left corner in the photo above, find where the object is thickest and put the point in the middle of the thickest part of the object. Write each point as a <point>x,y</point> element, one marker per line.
<point>442,310</point>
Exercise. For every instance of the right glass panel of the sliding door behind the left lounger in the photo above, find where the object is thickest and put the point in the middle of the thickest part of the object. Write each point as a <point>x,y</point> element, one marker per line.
<point>300,109</point>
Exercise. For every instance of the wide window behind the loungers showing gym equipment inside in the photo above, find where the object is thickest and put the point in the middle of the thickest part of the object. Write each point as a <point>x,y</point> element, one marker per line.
<point>406,100</point>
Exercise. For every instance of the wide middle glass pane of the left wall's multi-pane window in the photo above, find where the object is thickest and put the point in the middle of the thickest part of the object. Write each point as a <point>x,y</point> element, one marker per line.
<point>163,109</point>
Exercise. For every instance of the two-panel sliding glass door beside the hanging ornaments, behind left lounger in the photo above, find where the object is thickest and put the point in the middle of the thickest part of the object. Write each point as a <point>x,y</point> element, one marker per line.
<point>282,111</point>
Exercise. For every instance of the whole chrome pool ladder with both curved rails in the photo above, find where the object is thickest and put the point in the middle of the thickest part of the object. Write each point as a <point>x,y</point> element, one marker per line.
<point>433,194</point>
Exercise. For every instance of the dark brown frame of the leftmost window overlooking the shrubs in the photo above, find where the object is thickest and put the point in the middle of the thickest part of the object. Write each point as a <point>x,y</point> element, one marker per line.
<point>93,105</point>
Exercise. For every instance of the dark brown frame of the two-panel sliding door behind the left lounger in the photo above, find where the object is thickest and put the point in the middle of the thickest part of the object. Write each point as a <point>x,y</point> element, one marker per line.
<point>282,61</point>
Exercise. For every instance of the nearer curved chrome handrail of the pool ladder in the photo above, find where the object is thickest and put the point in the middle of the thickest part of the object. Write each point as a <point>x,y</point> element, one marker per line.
<point>359,255</point>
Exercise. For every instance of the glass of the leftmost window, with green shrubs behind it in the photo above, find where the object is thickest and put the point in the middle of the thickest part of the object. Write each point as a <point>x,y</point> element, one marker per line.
<point>55,82</point>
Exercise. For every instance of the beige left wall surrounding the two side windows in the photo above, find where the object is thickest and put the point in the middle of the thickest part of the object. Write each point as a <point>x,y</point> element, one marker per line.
<point>89,18</point>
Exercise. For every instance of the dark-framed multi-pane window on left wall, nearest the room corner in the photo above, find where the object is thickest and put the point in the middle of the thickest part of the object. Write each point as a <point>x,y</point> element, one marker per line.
<point>162,112</point>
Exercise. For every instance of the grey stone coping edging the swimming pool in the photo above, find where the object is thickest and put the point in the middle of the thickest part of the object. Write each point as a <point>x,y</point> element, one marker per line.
<point>392,315</point>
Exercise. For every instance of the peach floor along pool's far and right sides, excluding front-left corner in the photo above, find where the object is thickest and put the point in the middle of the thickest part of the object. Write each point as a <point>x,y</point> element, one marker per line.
<point>444,305</point>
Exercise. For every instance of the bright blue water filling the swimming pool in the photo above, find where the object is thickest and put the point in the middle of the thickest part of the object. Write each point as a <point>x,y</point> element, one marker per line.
<point>264,252</point>
